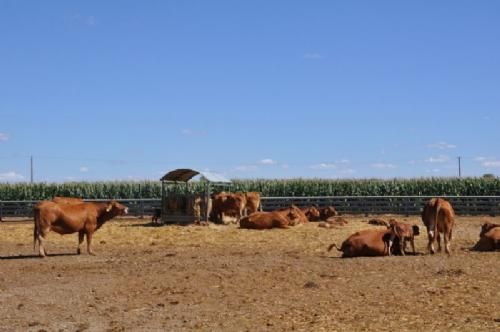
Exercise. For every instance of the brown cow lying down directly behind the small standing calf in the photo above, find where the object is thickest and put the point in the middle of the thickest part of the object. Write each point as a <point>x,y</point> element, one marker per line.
<point>368,242</point>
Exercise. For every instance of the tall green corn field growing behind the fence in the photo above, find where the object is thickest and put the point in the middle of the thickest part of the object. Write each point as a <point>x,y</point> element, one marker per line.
<point>277,188</point>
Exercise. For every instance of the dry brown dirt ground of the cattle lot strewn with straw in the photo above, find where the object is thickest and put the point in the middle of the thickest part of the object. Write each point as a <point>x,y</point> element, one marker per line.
<point>222,278</point>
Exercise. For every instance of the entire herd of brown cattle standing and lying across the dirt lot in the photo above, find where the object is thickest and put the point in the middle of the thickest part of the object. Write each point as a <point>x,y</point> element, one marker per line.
<point>65,215</point>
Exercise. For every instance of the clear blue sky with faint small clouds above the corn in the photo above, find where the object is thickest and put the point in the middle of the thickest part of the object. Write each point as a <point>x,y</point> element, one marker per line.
<point>122,90</point>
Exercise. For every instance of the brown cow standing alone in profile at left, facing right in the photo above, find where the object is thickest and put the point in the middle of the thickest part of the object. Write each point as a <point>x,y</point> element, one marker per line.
<point>84,218</point>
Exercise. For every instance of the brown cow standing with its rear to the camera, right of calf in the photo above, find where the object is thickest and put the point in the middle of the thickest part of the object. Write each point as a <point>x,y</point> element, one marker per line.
<point>438,216</point>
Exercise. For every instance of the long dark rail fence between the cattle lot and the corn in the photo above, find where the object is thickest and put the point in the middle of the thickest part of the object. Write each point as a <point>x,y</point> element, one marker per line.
<point>407,205</point>
